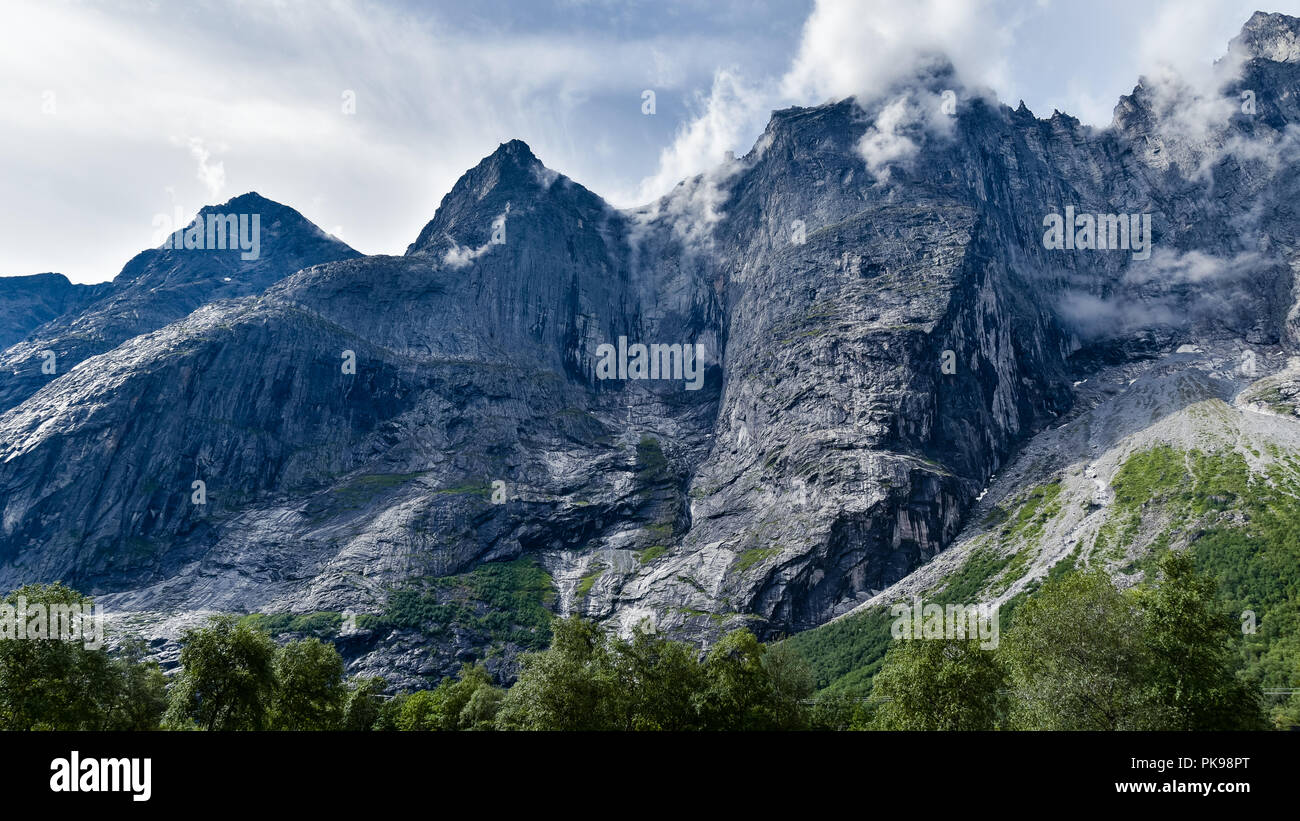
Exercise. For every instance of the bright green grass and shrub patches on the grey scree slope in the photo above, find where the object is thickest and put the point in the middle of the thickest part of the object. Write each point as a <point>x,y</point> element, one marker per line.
<point>1242,525</point>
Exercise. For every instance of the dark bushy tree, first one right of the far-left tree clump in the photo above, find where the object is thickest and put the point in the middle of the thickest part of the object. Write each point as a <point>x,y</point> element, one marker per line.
<point>228,679</point>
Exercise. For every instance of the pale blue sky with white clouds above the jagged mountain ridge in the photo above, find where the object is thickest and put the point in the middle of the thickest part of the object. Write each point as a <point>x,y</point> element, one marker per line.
<point>362,115</point>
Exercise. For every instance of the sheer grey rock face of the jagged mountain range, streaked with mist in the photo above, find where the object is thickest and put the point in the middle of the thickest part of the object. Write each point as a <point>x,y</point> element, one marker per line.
<point>881,320</point>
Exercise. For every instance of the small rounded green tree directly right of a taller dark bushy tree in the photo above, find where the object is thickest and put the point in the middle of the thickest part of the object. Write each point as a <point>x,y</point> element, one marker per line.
<point>310,690</point>
